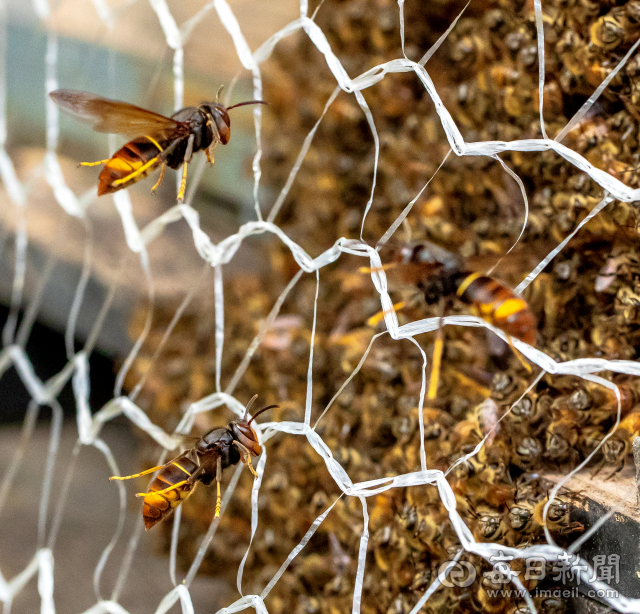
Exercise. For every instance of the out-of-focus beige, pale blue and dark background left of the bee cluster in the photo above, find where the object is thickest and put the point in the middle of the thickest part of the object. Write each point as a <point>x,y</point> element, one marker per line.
<point>116,49</point>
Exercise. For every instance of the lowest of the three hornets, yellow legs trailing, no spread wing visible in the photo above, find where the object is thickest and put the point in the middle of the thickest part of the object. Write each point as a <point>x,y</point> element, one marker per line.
<point>205,462</point>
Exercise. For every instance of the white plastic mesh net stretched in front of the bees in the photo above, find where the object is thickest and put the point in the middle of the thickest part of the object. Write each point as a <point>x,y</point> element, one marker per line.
<point>18,196</point>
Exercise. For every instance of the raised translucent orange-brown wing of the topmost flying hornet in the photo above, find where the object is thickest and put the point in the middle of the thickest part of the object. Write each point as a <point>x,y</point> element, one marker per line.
<point>114,116</point>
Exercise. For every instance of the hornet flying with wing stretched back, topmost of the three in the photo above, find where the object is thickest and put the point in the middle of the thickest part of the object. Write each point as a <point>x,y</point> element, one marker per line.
<point>165,141</point>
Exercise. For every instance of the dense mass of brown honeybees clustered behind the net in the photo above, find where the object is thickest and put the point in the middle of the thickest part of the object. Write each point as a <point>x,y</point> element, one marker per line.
<point>585,303</point>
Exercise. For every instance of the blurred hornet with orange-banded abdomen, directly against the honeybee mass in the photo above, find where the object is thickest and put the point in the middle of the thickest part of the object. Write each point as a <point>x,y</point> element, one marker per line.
<point>441,274</point>
